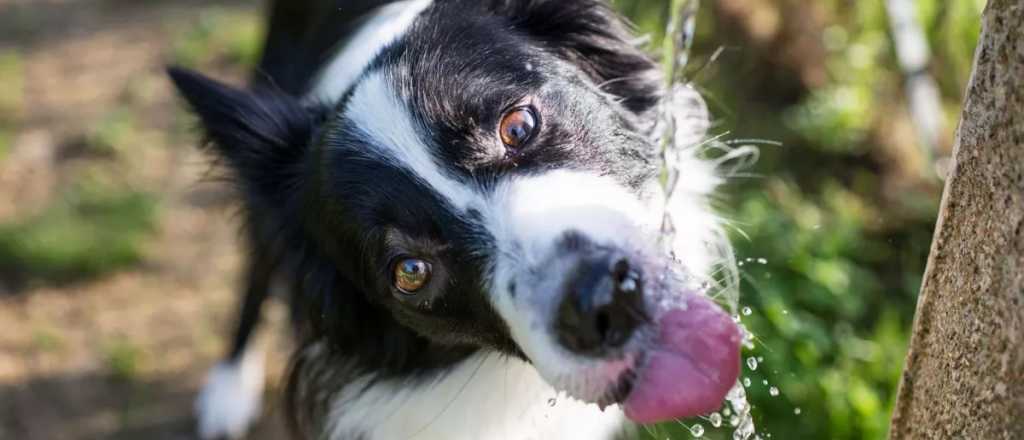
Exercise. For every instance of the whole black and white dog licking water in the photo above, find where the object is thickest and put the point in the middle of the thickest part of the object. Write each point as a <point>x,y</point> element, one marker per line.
<point>462,198</point>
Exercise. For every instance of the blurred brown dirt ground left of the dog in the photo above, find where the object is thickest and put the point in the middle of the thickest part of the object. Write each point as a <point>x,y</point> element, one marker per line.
<point>121,357</point>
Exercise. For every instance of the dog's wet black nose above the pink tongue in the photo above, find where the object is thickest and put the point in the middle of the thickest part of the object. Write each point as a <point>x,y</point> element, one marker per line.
<point>603,305</point>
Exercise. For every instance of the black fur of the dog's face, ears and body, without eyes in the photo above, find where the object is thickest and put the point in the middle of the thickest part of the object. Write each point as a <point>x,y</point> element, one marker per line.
<point>330,221</point>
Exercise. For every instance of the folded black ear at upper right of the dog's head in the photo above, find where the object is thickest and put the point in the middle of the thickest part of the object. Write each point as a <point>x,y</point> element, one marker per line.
<point>591,35</point>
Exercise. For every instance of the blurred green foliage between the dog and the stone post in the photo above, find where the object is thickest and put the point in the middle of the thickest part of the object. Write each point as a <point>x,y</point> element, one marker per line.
<point>835,235</point>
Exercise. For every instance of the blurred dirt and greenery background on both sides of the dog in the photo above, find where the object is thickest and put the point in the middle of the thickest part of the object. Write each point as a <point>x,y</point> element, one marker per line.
<point>118,255</point>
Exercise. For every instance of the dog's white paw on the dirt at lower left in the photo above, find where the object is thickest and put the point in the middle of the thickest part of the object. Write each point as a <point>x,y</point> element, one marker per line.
<point>231,399</point>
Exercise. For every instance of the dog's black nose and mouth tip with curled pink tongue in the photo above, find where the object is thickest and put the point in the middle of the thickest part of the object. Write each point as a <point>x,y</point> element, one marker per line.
<point>619,304</point>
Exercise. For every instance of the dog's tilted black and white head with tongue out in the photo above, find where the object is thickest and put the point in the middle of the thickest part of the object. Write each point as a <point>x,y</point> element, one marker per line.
<point>490,181</point>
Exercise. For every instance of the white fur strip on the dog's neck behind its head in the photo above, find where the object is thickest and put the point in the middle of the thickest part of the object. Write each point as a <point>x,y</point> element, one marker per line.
<point>383,28</point>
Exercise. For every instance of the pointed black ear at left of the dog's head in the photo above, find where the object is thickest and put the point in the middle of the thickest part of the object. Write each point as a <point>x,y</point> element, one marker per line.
<point>263,135</point>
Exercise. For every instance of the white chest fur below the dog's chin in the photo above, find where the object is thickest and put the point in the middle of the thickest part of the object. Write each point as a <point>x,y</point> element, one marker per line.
<point>488,397</point>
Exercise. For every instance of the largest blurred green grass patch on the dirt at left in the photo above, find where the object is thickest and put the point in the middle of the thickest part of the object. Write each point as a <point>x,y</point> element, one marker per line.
<point>87,234</point>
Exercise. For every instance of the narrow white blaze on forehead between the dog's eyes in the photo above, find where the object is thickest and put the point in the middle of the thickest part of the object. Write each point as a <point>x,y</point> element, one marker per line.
<point>386,121</point>
